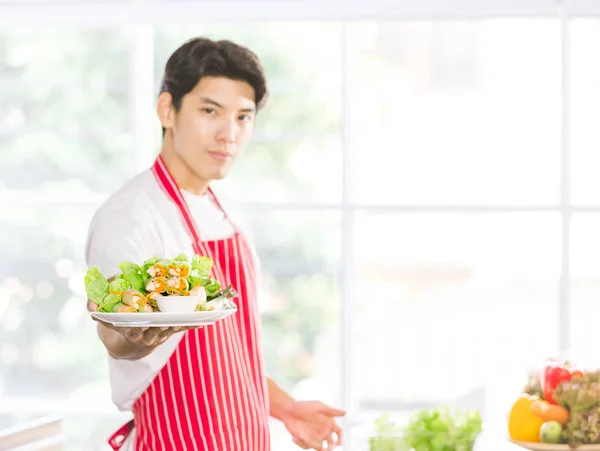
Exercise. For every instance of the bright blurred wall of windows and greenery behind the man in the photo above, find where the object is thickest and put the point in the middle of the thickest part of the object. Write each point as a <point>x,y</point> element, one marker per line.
<point>422,188</point>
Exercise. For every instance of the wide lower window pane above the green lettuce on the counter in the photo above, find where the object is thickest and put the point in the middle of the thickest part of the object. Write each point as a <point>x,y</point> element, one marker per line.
<point>449,303</point>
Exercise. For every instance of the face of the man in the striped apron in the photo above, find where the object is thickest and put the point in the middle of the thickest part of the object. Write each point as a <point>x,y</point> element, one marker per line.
<point>213,125</point>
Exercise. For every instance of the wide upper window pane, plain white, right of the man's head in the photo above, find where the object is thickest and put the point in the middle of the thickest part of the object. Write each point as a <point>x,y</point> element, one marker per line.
<point>455,112</point>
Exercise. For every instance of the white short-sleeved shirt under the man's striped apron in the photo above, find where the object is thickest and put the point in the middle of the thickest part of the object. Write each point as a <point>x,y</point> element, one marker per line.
<point>136,223</point>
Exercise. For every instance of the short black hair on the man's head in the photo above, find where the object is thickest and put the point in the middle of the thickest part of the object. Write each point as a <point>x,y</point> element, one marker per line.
<point>203,57</point>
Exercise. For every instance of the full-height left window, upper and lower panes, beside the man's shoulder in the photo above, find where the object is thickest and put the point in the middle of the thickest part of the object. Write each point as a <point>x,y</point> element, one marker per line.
<point>66,138</point>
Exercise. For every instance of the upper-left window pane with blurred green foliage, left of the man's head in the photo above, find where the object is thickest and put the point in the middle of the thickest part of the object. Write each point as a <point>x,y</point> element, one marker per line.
<point>64,116</point>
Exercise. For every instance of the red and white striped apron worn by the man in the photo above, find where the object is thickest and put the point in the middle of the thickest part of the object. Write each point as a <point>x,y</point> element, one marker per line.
<point>212,393</point>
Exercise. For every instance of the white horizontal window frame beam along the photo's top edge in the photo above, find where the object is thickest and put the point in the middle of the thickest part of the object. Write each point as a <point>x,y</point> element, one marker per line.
<point>160,11</point>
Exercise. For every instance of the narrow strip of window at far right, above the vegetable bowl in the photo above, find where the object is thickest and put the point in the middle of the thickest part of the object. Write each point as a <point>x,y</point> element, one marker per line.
<point>584,103</point>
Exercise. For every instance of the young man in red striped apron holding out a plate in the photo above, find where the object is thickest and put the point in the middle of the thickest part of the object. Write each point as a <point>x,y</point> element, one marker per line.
<point>202,389</point>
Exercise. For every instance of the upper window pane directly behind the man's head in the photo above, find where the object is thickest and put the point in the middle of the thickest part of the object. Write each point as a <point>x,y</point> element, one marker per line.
<point>297,137</point>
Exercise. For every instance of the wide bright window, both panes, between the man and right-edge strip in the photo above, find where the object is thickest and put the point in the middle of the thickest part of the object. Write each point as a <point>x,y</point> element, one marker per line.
<point>447,117</point>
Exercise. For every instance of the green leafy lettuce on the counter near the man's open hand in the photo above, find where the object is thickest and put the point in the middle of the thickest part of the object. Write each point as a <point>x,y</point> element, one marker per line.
<point>437,429</point>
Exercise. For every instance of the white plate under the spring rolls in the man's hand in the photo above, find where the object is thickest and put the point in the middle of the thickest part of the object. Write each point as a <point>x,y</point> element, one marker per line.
<point>162,319</point>
